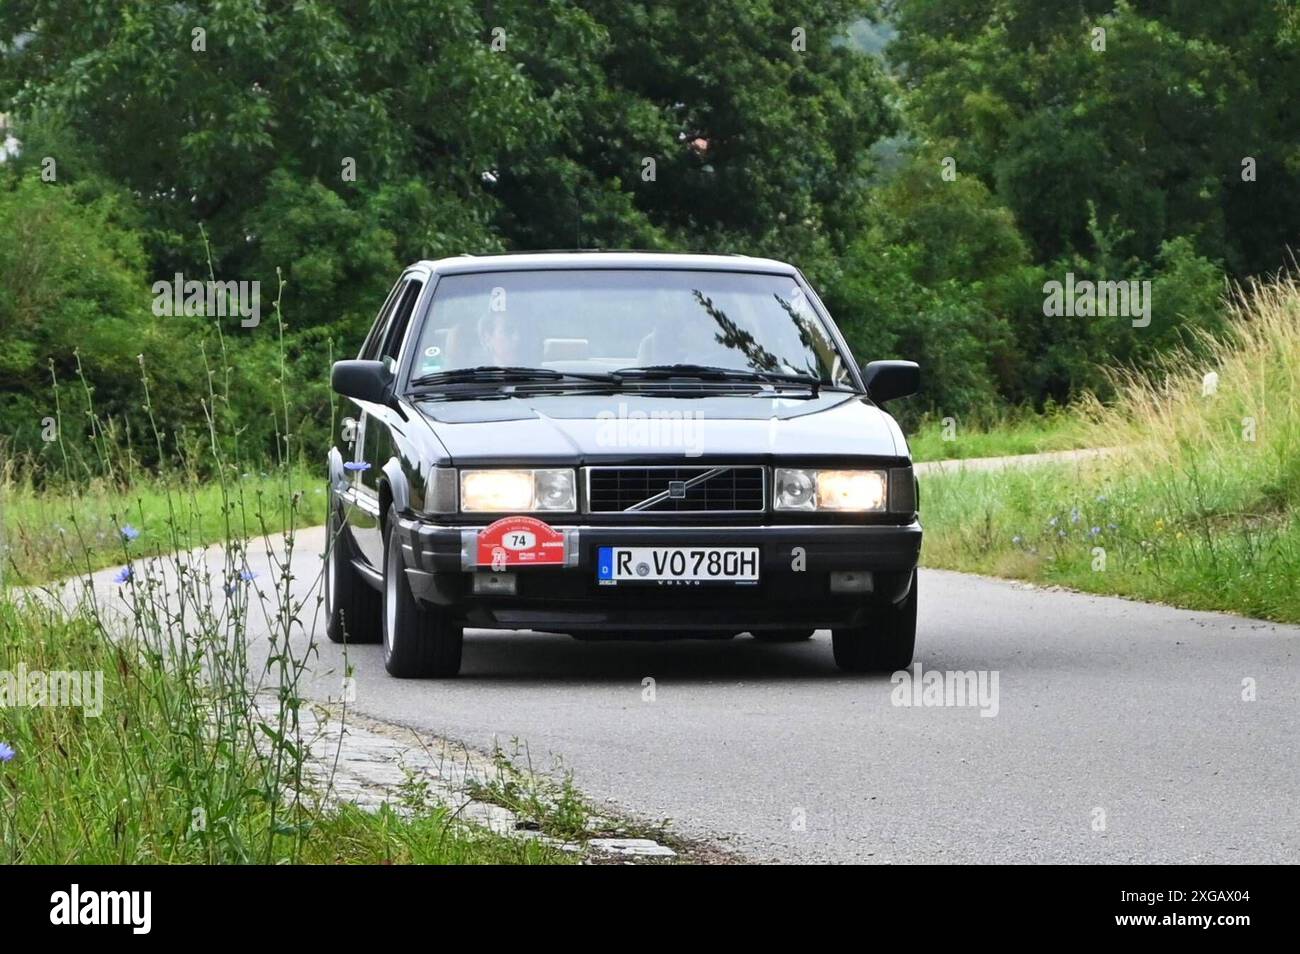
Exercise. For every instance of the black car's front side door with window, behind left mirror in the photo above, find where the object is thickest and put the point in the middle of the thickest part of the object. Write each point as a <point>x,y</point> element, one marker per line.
<point>375,437</point>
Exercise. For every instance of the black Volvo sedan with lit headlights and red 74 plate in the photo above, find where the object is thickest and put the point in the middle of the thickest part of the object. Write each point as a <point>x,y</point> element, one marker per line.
<point>618,445</point>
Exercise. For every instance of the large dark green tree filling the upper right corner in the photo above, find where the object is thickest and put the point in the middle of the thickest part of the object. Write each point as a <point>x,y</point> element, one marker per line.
<point>1149,122</point>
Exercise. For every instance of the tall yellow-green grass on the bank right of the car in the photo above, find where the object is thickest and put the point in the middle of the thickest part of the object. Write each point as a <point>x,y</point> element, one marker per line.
<point>1201,510</point>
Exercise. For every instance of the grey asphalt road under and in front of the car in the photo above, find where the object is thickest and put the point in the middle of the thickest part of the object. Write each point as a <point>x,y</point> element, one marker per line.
<point>1121,732</point>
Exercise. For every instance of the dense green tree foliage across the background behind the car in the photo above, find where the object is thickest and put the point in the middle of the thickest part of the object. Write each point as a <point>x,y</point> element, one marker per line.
<point>324,145</point>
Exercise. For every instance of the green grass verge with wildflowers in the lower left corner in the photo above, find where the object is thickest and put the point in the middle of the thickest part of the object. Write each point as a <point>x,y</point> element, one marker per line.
<point>150,762</point>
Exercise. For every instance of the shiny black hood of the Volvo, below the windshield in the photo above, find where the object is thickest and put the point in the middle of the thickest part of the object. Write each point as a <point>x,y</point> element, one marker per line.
<point>592,427</point>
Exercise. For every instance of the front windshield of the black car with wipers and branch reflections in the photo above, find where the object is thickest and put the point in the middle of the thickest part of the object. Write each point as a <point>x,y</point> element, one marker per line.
<point>596,322</point>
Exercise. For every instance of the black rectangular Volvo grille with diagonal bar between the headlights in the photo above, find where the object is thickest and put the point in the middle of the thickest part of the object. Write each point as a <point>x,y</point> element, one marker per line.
<point>704,489</point>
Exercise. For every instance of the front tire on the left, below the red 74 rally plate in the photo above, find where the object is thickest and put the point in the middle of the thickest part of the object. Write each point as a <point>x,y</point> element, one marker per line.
<point>419,641</point>
